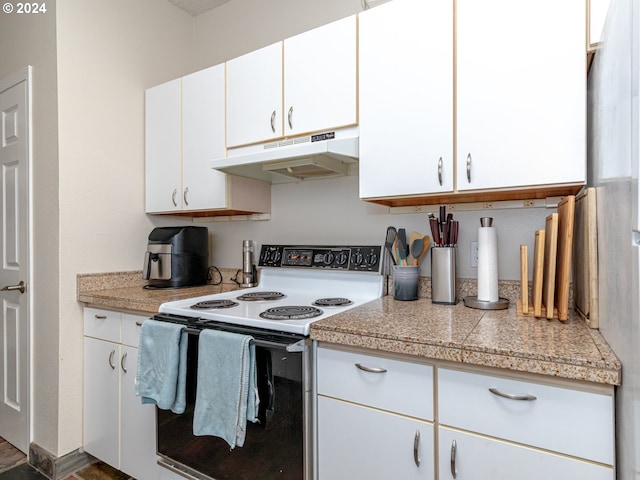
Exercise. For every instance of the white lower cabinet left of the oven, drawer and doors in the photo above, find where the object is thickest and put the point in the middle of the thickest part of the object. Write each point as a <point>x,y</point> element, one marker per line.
<point>118,429</point>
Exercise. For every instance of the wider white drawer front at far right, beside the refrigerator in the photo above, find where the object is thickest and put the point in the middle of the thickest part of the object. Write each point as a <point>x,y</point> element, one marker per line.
<point>561,419</point>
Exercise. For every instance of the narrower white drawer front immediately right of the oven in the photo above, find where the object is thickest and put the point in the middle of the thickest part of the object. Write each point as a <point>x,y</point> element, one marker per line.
<point>378,381</point>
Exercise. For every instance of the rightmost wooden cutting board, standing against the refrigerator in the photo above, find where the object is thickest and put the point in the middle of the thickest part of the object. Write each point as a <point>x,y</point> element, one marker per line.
<point>585,258</point>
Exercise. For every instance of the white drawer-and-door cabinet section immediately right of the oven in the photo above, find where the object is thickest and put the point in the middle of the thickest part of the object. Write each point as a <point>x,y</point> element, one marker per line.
<point>375,417</point>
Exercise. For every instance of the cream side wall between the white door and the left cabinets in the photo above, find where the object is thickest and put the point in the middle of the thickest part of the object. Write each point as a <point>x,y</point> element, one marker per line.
<point>109,51</point>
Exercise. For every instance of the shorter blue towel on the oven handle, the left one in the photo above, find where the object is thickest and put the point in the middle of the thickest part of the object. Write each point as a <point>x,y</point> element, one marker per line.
<point>162,365</point>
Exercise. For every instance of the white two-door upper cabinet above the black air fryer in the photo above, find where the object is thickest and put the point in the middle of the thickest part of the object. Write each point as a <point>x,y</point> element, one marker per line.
<point>185,127</point>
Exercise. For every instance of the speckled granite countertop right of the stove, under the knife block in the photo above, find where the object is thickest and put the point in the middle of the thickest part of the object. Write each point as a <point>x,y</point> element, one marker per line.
<point>457,333</point>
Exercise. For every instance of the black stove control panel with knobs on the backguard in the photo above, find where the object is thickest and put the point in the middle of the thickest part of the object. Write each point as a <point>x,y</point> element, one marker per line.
<point>355,259</point>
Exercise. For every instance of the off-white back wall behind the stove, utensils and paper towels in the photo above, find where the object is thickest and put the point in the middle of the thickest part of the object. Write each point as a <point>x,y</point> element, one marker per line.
<point>329,212</point>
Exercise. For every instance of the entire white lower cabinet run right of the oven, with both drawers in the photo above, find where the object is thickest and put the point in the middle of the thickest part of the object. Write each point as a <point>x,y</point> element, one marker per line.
<point>377,419</point>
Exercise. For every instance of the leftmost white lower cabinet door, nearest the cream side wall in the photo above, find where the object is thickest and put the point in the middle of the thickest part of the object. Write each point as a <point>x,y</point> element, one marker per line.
<point>101,400</point>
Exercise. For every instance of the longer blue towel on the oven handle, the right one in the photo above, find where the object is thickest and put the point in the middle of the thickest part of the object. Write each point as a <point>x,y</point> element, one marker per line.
<point>226,393</point>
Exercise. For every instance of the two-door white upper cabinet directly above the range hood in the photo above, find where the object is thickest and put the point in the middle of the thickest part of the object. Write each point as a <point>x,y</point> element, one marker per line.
<point>305,84</point>
